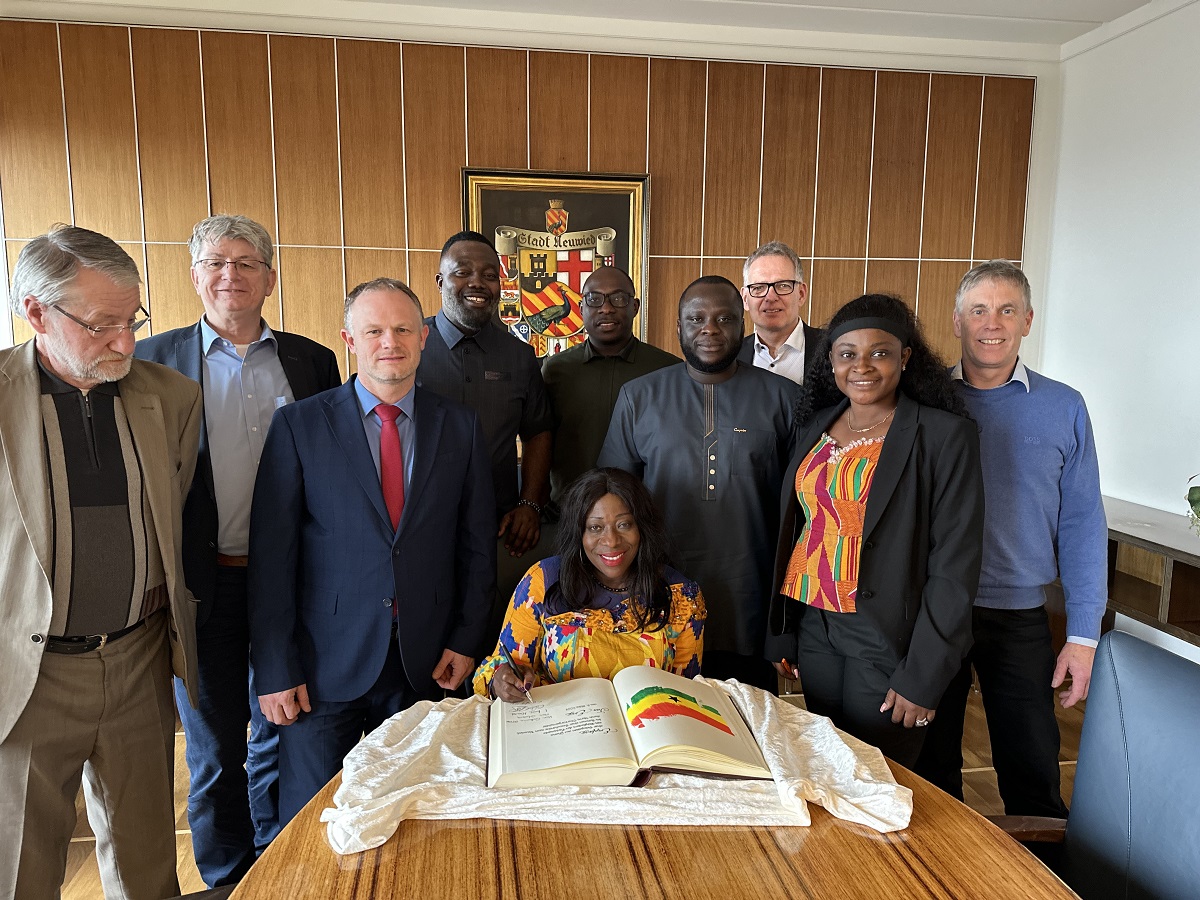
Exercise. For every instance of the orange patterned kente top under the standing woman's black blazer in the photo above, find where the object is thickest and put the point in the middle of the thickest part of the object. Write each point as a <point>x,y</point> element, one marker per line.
<point>832,484</point>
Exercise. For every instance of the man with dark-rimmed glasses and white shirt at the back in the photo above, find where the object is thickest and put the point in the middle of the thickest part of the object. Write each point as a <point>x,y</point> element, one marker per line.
<point>775,293</point>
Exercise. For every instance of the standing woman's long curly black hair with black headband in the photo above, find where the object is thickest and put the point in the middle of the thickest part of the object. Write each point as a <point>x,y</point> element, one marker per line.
<point>925,380</point>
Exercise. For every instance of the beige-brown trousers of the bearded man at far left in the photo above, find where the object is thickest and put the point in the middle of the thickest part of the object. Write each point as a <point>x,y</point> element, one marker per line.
<point>106,718</point>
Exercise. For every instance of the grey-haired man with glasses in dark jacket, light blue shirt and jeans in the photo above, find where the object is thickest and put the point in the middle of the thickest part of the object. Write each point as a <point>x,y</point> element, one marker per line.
<point>247,370</point>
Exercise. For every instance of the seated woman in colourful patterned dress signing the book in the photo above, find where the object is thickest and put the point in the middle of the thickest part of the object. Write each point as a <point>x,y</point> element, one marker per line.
<point>609,601</point>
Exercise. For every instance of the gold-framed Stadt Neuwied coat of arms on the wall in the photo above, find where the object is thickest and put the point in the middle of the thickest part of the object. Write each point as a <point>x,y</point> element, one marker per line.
<point>551,231</point>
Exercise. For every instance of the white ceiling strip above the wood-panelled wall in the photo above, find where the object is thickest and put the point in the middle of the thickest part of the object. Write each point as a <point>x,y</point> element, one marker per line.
<point>1047,22</point>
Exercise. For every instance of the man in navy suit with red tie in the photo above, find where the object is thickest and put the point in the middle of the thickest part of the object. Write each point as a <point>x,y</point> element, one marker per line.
<point>373,548</point>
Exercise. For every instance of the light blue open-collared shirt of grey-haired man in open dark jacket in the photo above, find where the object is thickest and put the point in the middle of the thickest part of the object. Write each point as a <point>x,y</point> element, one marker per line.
<point>241,398</point>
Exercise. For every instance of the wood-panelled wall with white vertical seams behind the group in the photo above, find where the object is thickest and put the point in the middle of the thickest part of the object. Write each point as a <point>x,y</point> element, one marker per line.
<point>350,153</point>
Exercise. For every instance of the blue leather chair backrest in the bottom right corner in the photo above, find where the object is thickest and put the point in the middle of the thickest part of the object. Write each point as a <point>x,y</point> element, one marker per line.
<point>1135,825</point>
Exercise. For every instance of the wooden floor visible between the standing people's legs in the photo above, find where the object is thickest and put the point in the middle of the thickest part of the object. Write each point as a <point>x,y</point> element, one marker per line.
<point>979,787</point>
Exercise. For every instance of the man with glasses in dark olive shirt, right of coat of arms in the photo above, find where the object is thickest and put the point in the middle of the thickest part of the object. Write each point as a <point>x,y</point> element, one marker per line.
<point>585,381</point>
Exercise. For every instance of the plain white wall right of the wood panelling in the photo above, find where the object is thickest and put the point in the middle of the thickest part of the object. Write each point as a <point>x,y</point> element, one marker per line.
<point>1121,317</point>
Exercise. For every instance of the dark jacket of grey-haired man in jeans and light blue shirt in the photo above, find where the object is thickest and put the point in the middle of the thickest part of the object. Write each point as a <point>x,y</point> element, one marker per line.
<point>310,369</point>
